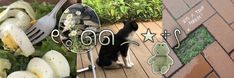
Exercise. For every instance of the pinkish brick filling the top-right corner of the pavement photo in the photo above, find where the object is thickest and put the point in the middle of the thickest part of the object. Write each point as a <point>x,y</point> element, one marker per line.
<point>225,8</point>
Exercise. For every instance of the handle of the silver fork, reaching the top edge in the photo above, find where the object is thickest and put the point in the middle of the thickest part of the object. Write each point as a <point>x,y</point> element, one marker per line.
<point>55,10</point>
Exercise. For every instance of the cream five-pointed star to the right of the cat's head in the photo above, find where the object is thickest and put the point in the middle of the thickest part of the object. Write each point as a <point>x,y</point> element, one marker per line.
<point>148,36</point>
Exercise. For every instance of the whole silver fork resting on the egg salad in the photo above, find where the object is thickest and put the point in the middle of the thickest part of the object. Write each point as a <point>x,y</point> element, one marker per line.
<point>44,25</point>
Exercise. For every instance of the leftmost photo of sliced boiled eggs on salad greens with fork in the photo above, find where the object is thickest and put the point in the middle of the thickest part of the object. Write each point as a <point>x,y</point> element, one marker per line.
<point>39,38</point>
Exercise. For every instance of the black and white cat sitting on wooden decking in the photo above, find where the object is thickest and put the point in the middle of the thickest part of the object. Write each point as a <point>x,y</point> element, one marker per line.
<point>108,55</point>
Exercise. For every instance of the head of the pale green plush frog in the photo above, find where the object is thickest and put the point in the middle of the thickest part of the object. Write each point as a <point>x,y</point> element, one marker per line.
<point>161,48</point>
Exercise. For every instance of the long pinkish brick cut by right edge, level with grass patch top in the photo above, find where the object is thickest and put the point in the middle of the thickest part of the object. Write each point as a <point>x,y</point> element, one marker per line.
<point>221,31</point>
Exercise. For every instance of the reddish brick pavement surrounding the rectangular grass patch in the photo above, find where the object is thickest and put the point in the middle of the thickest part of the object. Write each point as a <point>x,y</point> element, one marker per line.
<point>217,59</point>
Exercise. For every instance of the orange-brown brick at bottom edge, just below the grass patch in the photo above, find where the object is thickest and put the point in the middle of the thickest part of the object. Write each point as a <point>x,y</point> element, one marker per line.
<point>196,68</point>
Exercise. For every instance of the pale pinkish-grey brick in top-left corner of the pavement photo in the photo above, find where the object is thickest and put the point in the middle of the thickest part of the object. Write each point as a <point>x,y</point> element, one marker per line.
<point>176,7</point>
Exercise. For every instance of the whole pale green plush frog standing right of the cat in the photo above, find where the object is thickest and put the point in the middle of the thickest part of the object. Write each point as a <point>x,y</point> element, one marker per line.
<point>160,61</point>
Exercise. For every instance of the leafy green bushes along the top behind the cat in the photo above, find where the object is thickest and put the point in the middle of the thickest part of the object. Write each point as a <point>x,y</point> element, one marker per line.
<point>110,11</point>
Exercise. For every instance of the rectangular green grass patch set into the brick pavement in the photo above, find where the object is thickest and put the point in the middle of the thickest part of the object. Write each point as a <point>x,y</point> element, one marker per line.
<point>194,44</point>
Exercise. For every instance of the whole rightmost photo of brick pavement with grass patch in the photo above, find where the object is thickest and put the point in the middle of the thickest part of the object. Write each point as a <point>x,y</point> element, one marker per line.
<point>200,36</point>
